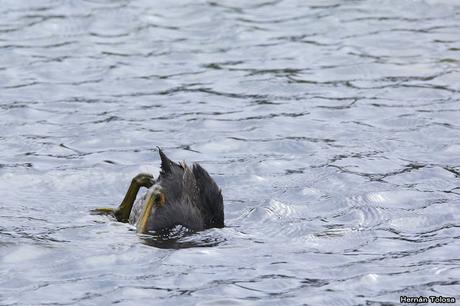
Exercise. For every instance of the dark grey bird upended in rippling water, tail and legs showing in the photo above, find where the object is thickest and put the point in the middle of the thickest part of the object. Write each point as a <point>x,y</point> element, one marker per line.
<point>181,195</point>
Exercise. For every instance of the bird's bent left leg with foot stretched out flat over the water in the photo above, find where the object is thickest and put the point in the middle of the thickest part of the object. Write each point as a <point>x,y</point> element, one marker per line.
<point>123,211</point>
